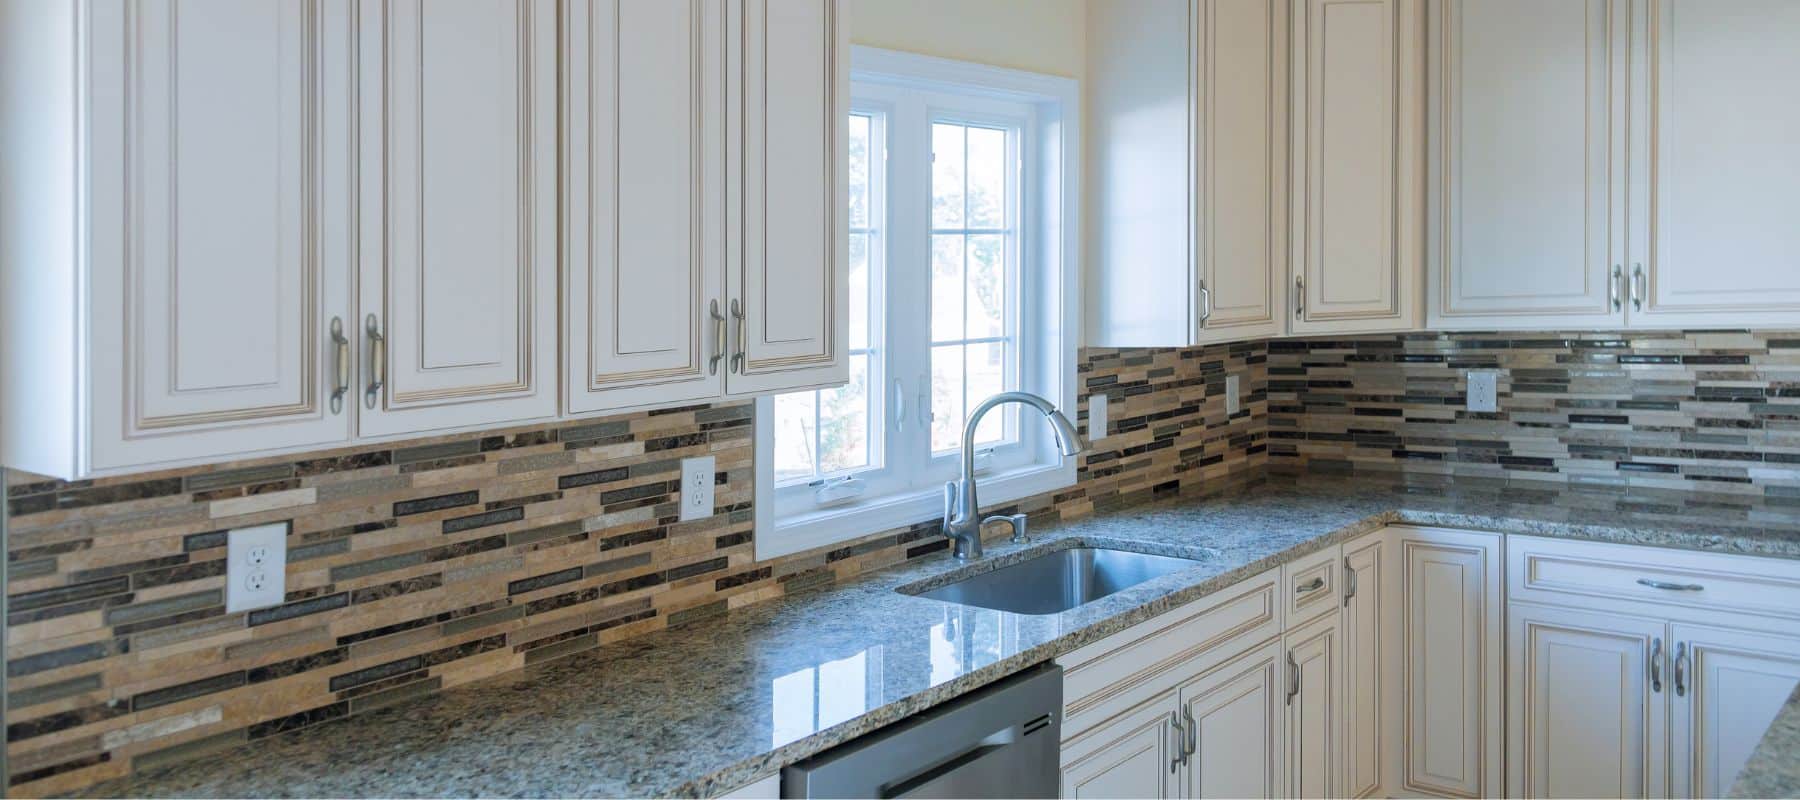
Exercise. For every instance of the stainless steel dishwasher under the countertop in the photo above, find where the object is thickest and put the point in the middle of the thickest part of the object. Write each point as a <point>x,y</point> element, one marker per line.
<point>1000,741</point>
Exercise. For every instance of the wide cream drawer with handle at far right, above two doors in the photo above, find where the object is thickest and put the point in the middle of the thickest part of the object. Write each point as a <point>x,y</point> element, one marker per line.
<point>1581,574</point>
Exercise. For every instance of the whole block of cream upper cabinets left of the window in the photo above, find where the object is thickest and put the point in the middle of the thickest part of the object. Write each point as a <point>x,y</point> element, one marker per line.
<point>327,223</point>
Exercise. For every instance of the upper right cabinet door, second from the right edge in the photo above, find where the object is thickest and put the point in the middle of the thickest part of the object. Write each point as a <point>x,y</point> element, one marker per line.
<point>1527,203</point>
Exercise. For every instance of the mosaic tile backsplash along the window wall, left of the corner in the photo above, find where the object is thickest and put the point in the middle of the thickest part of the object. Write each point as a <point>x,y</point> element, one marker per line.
<point>422,567</point>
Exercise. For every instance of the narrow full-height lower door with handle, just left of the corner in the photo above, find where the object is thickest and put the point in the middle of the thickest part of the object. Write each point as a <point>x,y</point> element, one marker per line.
<point>1363,687</point>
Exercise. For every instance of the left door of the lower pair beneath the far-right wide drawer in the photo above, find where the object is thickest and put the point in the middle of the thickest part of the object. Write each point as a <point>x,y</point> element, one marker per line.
<point>1587,713</point>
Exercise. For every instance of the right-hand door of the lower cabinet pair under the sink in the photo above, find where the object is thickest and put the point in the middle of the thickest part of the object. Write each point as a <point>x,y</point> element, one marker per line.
<point>1236,716</point>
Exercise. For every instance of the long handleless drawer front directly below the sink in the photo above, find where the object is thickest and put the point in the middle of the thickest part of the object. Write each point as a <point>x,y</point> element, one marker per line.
<point>1129,668</point>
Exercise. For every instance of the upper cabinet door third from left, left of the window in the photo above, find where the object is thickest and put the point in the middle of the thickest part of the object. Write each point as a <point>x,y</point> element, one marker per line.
<point>645,136</point>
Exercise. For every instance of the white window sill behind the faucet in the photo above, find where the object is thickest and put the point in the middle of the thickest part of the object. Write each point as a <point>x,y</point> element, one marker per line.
<point>827,527</point>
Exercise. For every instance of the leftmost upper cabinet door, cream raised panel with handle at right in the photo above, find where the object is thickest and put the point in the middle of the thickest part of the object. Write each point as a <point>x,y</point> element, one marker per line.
<point>222,244</point>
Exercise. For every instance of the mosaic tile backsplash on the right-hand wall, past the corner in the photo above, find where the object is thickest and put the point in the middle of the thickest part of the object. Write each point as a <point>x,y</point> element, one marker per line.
<point>1707,412</point>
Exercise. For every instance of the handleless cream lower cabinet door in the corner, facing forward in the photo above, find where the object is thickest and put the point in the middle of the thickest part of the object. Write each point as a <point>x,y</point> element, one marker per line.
<point>1450,603</point>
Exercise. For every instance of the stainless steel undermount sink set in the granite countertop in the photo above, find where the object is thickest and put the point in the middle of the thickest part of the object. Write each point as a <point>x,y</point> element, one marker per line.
<point>1059,581</point>
